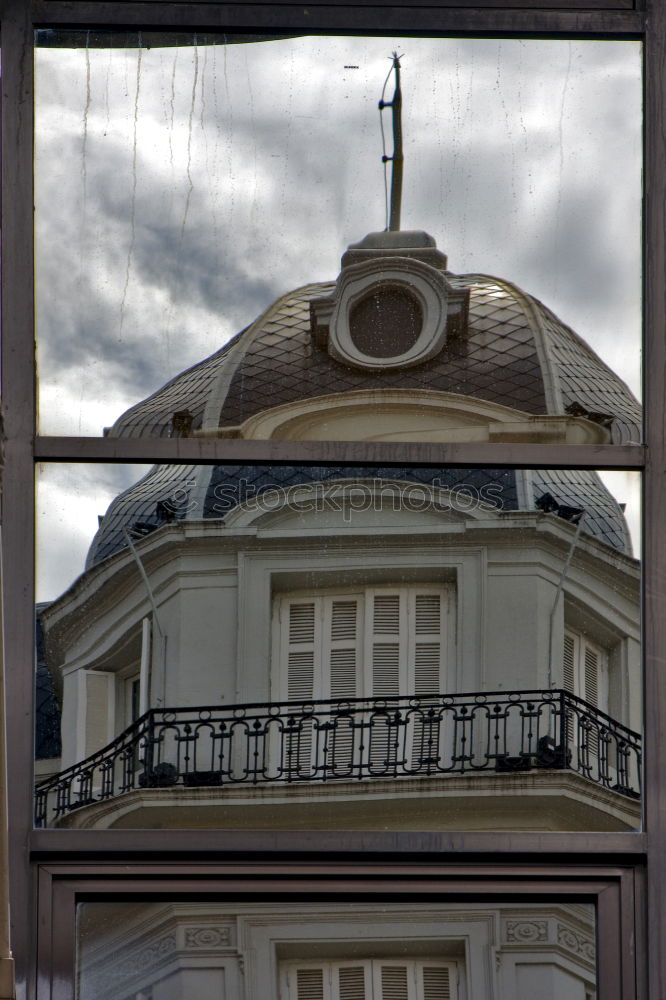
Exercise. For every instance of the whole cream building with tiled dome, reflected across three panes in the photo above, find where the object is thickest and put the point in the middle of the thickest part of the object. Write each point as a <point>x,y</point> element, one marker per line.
<point>322,647</point>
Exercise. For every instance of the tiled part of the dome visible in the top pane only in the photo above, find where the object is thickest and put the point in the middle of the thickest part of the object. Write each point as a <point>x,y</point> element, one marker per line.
<point>515,352</point>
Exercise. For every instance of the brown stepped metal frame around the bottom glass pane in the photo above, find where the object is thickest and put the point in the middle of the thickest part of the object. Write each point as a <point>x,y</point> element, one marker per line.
<point>611,889</point>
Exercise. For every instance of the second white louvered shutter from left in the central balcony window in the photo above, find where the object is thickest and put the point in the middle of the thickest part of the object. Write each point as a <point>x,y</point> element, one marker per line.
<point>341,665</point>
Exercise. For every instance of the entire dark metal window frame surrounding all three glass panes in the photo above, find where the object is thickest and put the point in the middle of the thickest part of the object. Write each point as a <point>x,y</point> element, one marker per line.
<point>624,874</point>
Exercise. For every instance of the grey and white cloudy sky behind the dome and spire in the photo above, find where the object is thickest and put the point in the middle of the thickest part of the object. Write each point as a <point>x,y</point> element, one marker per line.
<point>181,190</point>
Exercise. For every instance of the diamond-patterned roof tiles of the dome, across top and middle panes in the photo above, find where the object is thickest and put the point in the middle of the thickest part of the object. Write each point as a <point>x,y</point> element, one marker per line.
<point>510,338</point>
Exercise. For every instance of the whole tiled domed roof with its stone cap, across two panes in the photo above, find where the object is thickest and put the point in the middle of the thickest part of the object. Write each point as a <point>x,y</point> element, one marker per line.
<point>510,352</point>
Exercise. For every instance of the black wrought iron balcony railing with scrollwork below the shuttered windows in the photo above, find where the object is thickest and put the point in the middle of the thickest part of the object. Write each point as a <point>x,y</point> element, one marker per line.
<point>355,739</point>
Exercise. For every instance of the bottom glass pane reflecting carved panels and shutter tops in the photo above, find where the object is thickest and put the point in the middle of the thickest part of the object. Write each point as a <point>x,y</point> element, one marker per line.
<point>336,951</point>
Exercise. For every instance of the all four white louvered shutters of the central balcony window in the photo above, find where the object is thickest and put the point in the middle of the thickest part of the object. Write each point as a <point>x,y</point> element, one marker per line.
<point>380,644</point>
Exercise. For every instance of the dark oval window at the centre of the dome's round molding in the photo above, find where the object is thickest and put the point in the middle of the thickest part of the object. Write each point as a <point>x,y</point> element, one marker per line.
<point>386,323</point>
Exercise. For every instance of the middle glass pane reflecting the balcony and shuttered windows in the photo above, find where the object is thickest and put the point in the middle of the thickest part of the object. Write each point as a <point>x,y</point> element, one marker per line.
<point>339,648</point>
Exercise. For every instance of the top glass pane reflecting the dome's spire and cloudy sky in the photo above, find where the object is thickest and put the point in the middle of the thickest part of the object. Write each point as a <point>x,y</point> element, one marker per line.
<point>185,193</point>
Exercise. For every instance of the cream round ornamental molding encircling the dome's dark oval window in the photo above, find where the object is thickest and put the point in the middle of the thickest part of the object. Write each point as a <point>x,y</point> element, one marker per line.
<point>388,314</point>
